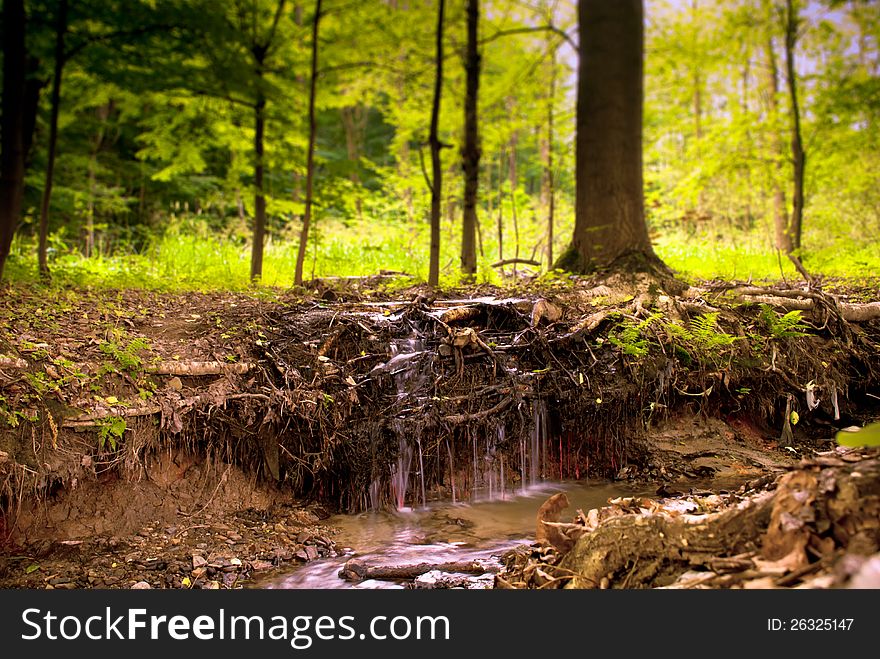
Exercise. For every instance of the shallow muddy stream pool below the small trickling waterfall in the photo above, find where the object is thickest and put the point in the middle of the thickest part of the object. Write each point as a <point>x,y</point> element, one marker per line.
<point>442,532</point>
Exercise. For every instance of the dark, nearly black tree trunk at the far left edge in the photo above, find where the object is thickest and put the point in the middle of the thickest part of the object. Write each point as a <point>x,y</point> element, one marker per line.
<point>12,124</point>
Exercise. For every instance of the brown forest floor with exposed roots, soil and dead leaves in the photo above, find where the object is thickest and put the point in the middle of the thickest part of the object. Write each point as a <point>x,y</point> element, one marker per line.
<point>192,441</point>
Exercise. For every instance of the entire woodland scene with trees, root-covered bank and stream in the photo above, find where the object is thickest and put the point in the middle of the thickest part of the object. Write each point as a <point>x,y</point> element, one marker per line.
<point>268,265</point>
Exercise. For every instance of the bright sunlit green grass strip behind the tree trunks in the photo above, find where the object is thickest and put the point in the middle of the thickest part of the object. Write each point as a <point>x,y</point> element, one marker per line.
<point>194,259</point>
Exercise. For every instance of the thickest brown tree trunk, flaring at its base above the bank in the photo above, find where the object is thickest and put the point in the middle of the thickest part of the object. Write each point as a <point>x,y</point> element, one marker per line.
<point>609,203</point>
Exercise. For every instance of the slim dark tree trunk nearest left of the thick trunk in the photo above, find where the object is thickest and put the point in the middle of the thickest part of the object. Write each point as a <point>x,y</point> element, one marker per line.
<point>471,151</point>
